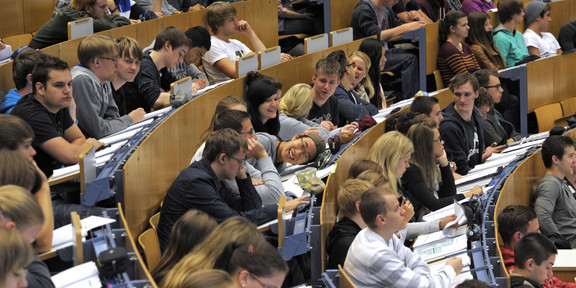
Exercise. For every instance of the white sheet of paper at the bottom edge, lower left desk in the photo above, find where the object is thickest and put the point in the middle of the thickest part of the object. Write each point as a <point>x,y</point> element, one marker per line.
<point>81,276</point>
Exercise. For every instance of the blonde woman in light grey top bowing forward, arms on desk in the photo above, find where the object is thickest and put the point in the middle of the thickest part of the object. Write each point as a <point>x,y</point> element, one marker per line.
<point>294,108</point>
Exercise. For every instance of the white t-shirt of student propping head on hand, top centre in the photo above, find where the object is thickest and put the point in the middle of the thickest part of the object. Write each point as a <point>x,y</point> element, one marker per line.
<point>219,50</point>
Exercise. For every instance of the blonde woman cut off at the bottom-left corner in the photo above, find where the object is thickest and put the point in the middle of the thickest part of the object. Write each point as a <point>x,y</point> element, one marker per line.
<point>16,253</point>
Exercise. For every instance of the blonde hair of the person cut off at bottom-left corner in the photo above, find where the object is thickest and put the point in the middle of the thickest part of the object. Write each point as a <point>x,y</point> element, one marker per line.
<point>15,253</point>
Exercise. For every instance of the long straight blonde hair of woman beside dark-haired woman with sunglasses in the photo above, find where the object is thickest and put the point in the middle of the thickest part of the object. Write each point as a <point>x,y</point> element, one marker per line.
<point>387,151</point>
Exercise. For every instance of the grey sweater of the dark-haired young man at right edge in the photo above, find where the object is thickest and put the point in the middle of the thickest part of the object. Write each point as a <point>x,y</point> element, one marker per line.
<point>556,208</point>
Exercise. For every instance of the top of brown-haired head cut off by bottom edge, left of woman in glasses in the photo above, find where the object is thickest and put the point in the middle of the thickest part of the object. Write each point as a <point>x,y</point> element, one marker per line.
<point>209,278</point>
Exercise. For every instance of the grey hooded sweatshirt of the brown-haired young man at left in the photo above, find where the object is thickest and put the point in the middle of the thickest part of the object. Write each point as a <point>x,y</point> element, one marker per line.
<point>96,110</point>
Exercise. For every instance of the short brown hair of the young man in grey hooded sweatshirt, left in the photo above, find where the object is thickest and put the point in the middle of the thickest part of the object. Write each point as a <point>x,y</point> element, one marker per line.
<point>95,46</point>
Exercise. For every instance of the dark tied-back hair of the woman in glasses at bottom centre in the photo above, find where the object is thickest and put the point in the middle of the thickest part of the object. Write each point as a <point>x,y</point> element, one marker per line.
<point>259,258</point>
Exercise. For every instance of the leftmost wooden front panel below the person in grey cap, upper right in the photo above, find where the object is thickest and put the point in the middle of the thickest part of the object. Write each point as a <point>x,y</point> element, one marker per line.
<point>540,85</point>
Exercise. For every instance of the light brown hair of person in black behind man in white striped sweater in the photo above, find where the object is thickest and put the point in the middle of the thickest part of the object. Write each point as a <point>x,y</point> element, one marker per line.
<point>350,192</point>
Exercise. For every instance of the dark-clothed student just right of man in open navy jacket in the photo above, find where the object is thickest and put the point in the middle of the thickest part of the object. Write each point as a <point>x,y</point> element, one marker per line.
<point>496,129</point>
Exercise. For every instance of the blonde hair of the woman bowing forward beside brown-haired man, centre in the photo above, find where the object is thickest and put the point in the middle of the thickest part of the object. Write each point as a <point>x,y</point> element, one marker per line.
<point>297,101</point>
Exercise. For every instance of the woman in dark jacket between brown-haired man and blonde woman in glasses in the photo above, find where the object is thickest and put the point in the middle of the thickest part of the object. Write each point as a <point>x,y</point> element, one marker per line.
<point>351,107</point>
